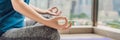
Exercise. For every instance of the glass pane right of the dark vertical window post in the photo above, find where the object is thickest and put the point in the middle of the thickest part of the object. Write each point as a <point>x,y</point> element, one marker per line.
<point>109,13</point>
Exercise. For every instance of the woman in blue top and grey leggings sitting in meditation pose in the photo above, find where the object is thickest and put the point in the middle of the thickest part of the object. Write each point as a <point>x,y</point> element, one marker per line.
<point>12,19</point>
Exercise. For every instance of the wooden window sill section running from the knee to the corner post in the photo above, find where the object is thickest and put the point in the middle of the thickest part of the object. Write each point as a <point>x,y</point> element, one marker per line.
<point>77,30</point>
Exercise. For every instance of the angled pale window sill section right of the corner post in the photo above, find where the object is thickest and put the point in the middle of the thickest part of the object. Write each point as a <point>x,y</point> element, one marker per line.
<point>108,32</point>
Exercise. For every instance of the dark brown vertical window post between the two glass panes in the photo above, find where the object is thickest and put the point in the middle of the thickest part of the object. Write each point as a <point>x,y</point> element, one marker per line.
<point>95,12</point>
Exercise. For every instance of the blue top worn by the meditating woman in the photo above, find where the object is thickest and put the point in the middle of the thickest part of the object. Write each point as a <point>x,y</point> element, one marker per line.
<point>9,18</point>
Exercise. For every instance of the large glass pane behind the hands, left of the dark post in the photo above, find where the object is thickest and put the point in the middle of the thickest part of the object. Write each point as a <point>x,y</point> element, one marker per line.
<point>77,11</point>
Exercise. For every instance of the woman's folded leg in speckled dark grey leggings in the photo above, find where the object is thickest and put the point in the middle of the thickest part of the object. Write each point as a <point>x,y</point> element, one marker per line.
<point>32,33</point>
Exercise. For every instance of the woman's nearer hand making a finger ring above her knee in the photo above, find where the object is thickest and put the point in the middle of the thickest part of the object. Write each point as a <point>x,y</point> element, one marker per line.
<point>54,23</point>
